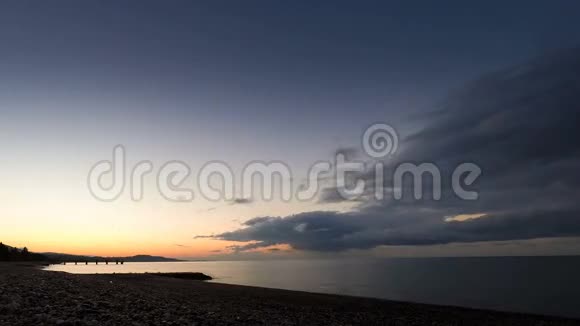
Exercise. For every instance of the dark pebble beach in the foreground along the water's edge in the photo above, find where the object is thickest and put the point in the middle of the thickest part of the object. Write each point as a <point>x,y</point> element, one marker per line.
<point>30,296</point>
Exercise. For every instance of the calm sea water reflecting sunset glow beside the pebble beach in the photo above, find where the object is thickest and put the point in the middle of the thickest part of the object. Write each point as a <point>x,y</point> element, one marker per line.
<point>542,285</point>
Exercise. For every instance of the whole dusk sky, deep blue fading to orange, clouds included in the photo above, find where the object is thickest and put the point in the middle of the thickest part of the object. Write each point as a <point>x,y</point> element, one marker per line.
<point>491,82</point>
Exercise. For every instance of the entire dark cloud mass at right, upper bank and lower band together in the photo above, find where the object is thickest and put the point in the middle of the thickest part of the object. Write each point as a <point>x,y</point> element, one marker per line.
<point>519,125</point>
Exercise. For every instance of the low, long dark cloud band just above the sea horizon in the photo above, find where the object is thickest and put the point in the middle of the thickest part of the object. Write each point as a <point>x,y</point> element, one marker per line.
<point>323,231</point>
